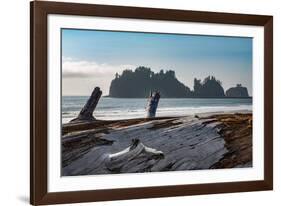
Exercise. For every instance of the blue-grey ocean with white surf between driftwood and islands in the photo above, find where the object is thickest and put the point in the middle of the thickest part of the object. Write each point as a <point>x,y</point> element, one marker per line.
<point>123,108</point>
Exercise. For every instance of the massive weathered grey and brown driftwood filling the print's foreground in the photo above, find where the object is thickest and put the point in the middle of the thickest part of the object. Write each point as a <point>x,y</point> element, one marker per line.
<point>172,143</point>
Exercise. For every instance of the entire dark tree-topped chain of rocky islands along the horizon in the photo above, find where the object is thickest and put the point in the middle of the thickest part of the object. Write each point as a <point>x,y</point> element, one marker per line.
<point>139,83</point>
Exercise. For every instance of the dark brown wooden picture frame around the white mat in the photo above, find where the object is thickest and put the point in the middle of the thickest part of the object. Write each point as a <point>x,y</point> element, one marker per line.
<point>38,103</point>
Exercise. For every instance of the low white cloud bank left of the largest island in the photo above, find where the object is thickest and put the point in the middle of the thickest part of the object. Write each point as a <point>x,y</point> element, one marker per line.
<point>84,69</point>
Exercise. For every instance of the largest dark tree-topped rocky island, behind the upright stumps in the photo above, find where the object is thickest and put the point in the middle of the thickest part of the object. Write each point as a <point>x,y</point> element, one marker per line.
<point>138,83</point>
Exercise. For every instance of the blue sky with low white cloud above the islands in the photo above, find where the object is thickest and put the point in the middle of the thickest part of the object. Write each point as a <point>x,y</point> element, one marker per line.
<point>91,58</point>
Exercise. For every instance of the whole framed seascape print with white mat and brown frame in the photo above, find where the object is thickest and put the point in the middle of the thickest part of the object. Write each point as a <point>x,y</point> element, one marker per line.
<point>131,102</point>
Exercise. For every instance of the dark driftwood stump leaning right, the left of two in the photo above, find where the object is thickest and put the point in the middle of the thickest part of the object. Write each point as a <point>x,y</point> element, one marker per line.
<point>86,114</point>
